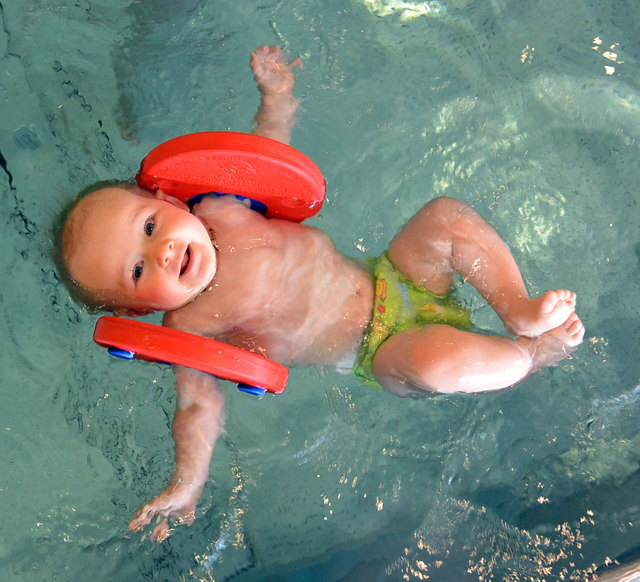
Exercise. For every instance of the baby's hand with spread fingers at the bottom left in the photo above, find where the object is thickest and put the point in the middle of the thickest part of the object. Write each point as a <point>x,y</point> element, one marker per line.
<point>177,503</point>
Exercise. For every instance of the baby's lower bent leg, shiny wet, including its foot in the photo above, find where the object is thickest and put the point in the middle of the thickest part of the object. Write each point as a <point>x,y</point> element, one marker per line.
<point>440,358</point>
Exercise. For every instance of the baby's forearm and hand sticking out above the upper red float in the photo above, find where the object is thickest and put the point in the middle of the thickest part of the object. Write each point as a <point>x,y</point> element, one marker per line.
<point>276,115</point>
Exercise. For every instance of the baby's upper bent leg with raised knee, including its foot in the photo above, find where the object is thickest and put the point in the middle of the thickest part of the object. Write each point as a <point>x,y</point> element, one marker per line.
<point>446,237</point>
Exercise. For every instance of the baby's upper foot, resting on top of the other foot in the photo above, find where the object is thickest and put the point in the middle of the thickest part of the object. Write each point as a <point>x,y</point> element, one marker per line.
<point>536,316</point>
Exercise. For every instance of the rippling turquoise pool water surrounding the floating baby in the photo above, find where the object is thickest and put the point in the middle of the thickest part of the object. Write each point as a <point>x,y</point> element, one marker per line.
<point>527,110</point>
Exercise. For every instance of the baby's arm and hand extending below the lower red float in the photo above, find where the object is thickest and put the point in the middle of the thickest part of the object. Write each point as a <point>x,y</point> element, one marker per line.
<point>197,424</point>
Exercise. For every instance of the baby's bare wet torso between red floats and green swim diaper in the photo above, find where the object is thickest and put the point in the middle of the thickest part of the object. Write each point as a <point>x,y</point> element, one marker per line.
<point>281,289</point>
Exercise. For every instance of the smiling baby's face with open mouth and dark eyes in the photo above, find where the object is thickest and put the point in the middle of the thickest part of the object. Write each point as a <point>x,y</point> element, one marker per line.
<point>142,252</point>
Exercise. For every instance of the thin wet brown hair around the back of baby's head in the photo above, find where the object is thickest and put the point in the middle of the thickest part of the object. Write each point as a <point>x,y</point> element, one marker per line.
<point>66,226</point>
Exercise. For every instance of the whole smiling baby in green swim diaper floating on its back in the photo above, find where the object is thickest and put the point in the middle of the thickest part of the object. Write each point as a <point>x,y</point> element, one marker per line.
<point>281,289</point>
